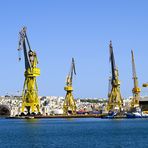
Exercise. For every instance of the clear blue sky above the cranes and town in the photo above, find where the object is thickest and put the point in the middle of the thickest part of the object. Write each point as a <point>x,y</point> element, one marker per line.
<point>61,29</point>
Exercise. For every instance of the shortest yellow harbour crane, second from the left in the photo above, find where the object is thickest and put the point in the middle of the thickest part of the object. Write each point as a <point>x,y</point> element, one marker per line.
<point>69,105</point>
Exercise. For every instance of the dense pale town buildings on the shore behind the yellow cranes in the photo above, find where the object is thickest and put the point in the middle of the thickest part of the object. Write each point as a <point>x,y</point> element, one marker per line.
<point>53,105</point>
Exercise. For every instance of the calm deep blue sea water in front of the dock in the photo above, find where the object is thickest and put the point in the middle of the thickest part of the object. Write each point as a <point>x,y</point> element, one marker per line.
<point>73,133</point>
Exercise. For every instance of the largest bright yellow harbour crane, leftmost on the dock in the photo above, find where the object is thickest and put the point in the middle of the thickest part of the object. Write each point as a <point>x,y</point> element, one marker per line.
<point>30,100</point>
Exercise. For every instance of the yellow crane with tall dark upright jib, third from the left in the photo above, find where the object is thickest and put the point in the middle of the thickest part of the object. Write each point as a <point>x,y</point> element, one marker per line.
<point>115,102</point>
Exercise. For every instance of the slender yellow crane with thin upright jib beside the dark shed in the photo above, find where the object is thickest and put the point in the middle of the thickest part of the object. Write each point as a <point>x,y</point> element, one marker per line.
<point>136,90</point>
